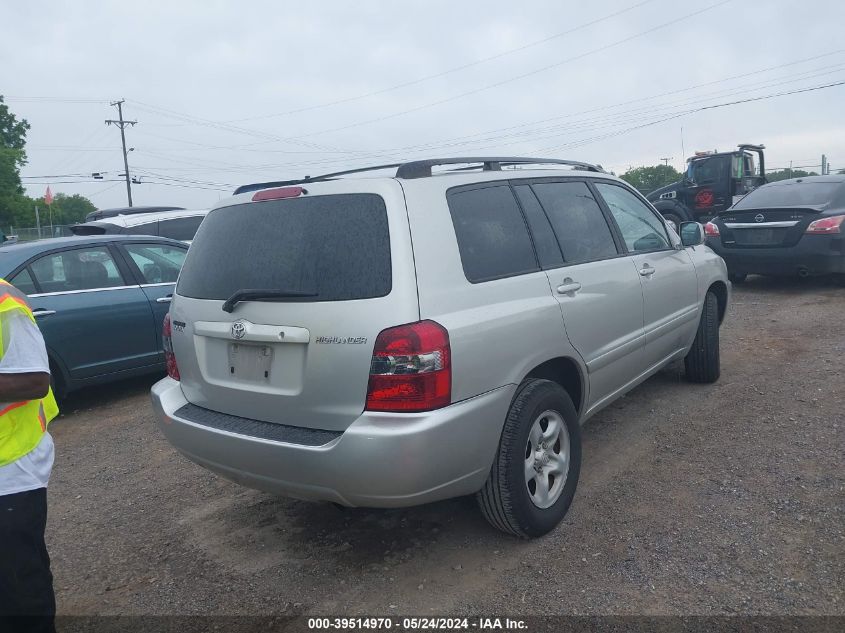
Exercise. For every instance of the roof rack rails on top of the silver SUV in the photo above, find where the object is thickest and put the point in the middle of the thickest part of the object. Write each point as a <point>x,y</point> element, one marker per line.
<point>422,169</point>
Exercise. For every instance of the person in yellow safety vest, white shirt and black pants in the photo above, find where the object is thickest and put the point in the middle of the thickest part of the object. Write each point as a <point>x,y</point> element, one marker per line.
<point>26,458</point>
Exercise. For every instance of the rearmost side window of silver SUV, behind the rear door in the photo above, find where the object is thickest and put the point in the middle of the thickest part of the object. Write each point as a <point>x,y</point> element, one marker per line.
<point>492,237</point>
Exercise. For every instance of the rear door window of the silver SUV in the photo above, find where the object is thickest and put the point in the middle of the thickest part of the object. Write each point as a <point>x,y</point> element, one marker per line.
<point>577,219</point>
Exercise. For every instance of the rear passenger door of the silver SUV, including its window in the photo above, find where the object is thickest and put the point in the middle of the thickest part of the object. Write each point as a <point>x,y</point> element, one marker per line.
<point>597,289</point>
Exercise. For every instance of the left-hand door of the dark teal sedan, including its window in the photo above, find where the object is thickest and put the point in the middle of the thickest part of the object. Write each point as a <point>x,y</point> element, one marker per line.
<point>94,318</point>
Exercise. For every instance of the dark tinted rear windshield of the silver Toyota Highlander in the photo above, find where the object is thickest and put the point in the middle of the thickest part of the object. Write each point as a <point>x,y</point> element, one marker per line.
<point>335,246</point>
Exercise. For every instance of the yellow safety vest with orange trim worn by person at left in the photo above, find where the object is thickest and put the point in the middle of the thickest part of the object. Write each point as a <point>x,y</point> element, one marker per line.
<point>22,424</point>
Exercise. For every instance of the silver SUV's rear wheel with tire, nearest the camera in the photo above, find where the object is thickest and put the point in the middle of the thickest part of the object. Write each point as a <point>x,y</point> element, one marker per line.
<point>538,462</point>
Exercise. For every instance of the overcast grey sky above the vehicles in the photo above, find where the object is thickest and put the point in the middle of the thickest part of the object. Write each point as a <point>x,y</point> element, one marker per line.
<point>226,93</point>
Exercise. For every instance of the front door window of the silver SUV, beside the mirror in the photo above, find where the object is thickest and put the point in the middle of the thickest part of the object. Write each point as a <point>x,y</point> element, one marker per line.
<point>641,229</point>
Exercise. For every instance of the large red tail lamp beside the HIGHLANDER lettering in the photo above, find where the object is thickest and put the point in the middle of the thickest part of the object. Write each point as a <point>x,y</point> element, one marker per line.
<point>411,369</point>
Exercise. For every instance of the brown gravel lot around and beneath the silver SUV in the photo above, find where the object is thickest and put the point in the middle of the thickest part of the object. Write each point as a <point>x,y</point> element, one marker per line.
<point>719,499</point>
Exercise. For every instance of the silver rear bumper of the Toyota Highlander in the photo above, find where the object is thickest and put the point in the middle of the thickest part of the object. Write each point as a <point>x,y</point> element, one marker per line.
<point>381,460</point>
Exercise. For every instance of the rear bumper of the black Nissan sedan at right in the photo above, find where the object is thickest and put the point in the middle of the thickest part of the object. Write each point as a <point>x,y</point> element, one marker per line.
<point>812,255</point>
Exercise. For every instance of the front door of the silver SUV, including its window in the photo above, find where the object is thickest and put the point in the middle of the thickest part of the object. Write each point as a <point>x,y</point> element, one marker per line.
<point>667,274</point>
